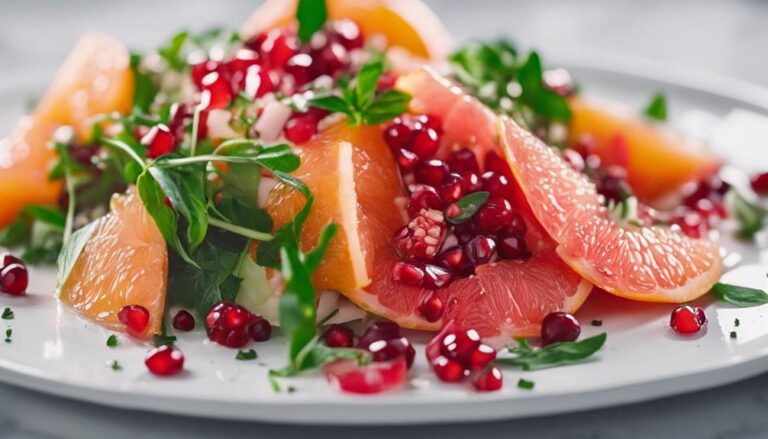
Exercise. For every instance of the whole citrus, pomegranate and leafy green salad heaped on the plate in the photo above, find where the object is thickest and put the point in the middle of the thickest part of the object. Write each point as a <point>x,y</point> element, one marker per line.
<point>340,171</point>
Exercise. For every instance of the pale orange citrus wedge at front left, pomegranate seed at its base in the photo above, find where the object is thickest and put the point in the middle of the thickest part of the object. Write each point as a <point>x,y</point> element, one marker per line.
<point>124,262</point>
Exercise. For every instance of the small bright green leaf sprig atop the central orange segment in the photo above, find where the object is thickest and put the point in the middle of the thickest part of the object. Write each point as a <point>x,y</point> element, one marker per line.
<point>362,104</point>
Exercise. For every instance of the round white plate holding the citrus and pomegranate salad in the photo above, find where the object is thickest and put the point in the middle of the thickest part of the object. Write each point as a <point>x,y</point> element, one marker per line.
<point>54,351</point>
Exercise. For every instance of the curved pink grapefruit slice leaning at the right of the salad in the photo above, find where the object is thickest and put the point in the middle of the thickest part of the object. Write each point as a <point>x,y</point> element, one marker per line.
<point>653,264</point>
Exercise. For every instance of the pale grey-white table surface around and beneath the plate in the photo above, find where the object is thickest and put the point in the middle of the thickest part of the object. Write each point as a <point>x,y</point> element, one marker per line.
<point>726,37</point>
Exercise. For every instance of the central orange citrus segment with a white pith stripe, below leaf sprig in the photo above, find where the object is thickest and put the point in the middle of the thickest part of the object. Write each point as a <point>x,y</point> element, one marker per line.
<point>352,175</point>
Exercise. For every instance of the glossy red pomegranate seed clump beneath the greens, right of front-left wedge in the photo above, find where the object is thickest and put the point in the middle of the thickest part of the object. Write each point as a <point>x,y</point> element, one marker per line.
<point>228,324</point>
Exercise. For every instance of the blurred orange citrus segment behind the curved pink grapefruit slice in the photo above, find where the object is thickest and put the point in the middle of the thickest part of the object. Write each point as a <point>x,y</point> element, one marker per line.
<point>657,161</point>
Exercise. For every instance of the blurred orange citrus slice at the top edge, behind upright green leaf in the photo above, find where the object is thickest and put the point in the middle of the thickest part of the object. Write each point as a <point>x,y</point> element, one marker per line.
<point>409,24</point>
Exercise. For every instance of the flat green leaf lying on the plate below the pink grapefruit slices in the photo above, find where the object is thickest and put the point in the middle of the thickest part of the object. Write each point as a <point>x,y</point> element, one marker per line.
<point>558,354</point>
